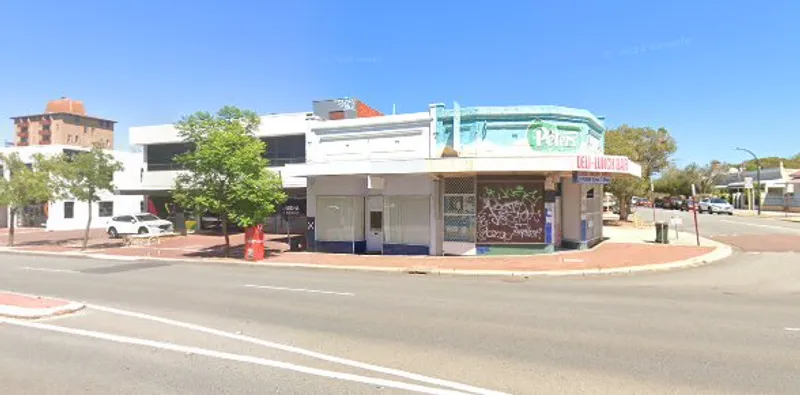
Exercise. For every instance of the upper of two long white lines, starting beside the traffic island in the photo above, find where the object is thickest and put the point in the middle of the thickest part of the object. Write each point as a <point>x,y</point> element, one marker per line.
<point>300,351</point>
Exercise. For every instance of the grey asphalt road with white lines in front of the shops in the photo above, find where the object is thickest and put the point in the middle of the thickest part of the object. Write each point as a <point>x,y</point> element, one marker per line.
<point>728,328</point>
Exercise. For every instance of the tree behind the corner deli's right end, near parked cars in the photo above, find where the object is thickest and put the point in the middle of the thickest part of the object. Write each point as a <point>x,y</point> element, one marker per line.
<point>648,147</point>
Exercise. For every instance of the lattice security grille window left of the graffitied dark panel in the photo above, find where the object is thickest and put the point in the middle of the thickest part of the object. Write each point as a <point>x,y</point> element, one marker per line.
<point>458,203</point>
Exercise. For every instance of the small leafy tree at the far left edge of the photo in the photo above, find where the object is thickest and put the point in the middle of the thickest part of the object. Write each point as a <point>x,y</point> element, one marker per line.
<point>27,184</point>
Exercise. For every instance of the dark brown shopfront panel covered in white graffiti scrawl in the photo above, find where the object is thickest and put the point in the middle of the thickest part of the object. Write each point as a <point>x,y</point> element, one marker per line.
<point>510,212</point>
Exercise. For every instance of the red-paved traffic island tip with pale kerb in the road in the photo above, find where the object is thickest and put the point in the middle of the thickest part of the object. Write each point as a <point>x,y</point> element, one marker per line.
<point>16,305</point>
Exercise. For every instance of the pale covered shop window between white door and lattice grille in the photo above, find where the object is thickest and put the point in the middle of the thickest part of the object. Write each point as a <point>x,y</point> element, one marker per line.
<point>407,220</point>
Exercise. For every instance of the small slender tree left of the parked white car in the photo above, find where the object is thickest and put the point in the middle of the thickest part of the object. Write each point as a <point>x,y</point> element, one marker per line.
<point>83,176</point>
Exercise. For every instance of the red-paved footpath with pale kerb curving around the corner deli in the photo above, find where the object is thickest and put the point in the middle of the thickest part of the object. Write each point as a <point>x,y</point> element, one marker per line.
<point>626,249</point>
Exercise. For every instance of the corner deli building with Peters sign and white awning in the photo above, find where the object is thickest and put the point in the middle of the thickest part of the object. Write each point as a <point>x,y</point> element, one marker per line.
<point>461,181</point>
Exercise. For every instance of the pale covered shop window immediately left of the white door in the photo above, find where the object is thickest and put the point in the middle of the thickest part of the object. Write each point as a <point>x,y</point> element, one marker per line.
<point>340,218</point>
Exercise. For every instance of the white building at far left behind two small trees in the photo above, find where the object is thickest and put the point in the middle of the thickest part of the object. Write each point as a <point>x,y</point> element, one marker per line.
<point>71,214</point>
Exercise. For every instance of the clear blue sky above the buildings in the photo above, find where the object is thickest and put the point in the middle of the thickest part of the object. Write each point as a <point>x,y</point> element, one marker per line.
<point>715,74</point>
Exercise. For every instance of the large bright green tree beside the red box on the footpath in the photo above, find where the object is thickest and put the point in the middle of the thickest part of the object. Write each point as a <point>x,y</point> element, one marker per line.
<point>226,169</point>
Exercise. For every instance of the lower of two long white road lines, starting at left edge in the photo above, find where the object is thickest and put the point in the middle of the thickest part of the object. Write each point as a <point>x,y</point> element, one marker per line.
<point>233,357</point>
